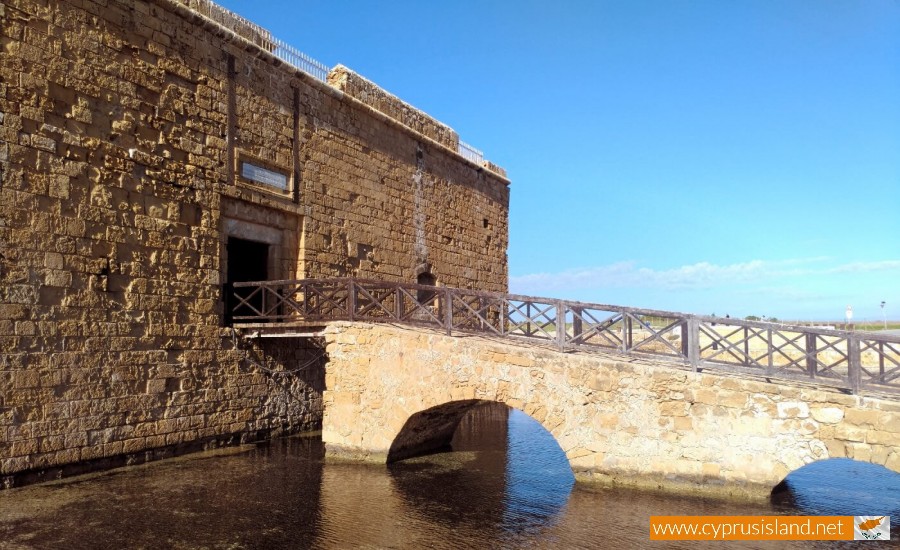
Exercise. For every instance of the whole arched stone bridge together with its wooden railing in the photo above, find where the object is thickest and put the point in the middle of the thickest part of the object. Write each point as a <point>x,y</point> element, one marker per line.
<point>694,418</point>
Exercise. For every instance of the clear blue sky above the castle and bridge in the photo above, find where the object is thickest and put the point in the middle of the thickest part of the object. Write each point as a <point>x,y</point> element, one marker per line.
<point>738,157</point>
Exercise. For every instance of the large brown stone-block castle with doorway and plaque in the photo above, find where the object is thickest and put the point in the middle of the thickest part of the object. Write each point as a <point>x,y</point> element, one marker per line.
<point>151,156</point>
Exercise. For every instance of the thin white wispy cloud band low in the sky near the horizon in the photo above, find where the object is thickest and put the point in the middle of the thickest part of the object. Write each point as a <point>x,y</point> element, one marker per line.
<point>702,275</point>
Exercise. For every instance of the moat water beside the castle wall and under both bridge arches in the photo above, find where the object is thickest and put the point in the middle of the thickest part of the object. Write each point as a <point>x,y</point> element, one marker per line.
<point>507,485</point>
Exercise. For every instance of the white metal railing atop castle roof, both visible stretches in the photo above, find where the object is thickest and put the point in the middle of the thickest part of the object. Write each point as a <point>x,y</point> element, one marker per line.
<point>285,52</point>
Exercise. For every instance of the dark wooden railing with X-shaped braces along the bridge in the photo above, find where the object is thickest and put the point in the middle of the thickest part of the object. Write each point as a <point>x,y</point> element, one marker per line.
<point>846,359</point>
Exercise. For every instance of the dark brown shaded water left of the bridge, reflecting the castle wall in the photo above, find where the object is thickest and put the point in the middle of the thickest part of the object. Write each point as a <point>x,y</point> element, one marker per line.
<point>179,503</point>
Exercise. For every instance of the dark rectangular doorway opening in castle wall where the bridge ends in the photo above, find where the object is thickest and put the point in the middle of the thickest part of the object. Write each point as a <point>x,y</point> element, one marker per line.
<point>247,261</point>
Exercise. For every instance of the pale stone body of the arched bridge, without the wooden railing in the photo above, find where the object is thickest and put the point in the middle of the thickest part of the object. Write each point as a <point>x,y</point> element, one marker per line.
<point>395,392</point>
